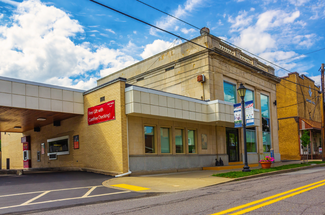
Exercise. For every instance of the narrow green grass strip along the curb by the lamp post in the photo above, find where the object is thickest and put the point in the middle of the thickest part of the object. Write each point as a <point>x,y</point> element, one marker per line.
<point>239,174</point>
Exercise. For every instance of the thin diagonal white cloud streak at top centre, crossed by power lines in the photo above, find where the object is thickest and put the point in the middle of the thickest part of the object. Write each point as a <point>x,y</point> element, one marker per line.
<point>168,22</point>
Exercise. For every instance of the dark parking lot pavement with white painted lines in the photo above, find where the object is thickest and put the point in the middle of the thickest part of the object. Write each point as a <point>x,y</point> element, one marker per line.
<point>46,191</point>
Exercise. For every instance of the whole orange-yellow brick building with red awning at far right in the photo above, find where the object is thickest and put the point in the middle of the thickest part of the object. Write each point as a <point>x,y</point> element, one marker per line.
<point>299,109</point>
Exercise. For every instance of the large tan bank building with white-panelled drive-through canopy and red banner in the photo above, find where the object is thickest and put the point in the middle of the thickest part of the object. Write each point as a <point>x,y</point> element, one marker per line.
<point>164,119</point>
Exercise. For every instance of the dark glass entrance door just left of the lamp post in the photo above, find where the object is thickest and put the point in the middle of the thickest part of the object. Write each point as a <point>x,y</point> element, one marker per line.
<point>232,144</point>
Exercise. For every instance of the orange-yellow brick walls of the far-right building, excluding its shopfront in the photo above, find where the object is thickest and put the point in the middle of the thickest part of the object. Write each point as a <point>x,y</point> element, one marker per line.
<point>292,102</point>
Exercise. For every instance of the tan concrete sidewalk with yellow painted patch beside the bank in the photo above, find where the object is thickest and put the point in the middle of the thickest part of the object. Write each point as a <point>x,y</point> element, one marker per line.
<point>174,182</point>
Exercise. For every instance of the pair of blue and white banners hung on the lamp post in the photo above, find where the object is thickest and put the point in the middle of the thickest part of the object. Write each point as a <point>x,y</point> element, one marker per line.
<point>249,111</point>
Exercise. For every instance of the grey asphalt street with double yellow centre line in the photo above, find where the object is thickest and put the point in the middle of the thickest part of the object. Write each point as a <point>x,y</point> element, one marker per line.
<point>300,192</point>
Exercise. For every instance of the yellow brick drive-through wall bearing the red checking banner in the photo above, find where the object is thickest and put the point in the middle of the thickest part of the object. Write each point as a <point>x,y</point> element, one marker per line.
<point>103,146</point>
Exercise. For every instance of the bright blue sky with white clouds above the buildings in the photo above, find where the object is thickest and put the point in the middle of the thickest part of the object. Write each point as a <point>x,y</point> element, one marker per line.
<point>74,43</point>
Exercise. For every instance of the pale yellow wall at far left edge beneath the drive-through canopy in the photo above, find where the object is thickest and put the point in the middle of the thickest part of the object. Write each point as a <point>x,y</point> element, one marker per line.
<point>12,148</point>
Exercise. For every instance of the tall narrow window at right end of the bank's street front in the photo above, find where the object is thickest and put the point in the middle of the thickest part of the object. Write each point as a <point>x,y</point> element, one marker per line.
<point>265,108</point>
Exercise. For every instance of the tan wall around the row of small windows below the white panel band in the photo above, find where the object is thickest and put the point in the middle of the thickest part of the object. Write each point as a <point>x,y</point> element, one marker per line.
<point>136,134</point>
